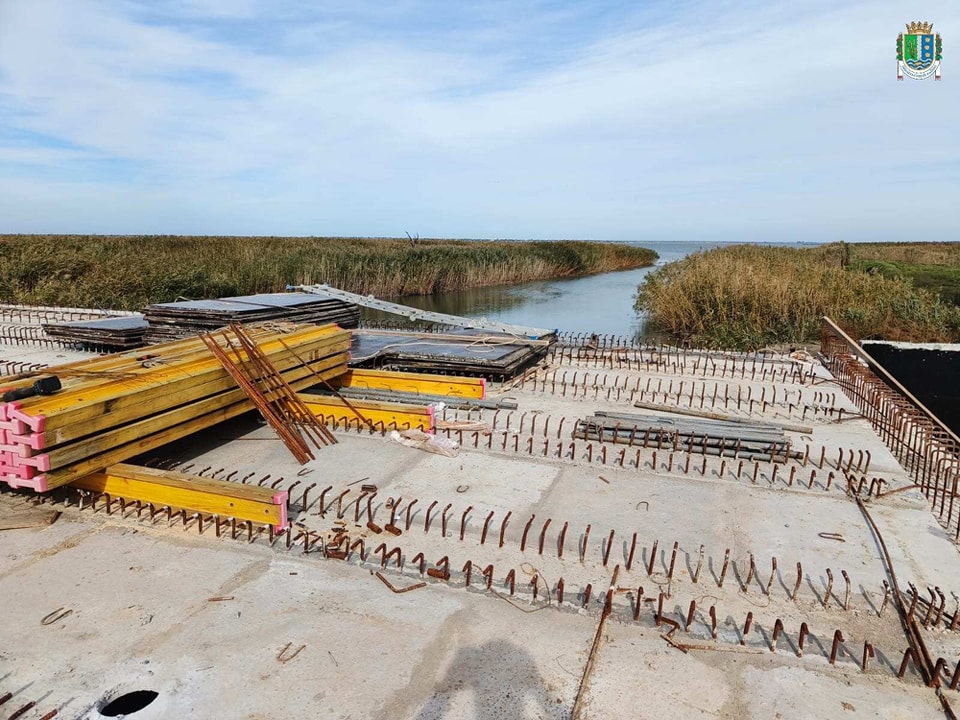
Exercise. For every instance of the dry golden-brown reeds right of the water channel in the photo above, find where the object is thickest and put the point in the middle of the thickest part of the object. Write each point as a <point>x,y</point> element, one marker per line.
<point>749,296</point>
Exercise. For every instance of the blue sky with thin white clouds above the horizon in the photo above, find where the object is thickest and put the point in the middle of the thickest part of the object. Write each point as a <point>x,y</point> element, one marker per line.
<point>529,119</point>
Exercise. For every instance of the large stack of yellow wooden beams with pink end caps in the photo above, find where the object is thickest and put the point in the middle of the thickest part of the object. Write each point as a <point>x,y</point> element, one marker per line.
<point>115,407</point>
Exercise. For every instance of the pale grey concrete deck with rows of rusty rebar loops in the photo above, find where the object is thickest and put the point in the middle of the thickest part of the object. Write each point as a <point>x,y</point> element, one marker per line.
<point>222,627</point>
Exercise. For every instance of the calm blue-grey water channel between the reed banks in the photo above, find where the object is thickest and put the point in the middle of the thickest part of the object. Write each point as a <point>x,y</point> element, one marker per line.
<point>599,303</point>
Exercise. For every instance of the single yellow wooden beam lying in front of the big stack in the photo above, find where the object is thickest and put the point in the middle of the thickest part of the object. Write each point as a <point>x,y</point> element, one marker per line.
<point>182,491</point>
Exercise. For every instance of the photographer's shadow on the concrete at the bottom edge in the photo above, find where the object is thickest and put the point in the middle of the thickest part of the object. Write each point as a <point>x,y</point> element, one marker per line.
<point>503,680</point>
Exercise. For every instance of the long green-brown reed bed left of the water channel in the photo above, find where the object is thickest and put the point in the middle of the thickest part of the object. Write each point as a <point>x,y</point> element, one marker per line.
<point>128,272</point>
